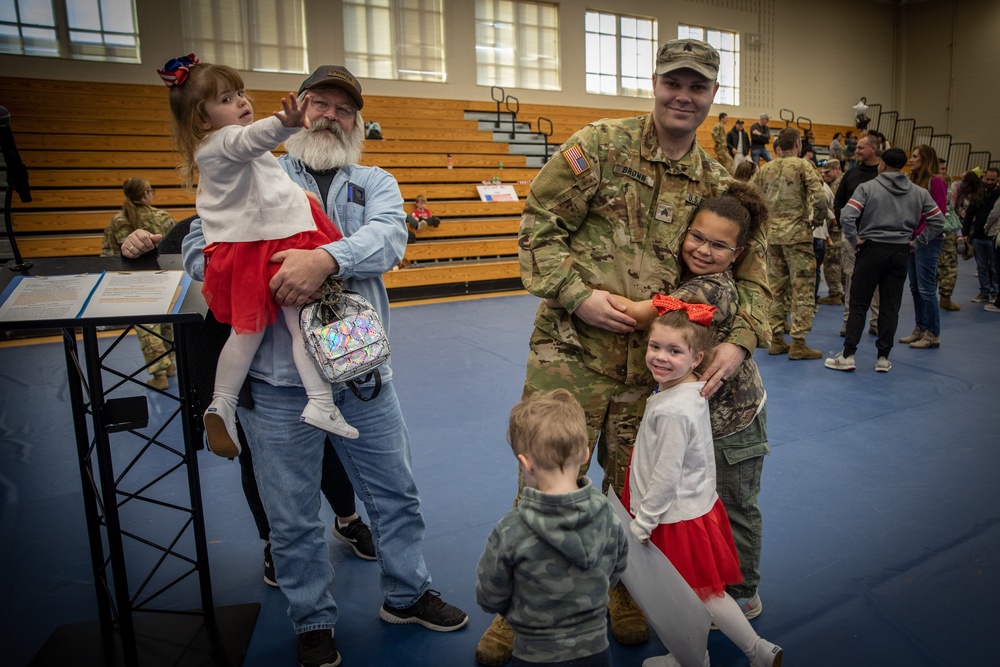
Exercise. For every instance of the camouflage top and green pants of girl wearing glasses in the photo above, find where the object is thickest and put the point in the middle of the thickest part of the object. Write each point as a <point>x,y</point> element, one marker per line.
<point>739,431</point>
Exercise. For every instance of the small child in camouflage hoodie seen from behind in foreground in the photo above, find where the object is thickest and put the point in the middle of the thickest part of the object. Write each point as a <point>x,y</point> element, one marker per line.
<point>549,563</point>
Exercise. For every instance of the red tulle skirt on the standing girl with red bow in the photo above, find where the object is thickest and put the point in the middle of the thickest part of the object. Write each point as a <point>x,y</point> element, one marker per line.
<point>702,550</point>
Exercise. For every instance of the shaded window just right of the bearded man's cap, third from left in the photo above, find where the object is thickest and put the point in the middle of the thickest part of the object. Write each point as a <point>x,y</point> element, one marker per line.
<point>395,39</point>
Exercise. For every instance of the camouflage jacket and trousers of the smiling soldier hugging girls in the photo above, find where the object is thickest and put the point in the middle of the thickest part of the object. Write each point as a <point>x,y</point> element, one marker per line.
<point>609,213</point>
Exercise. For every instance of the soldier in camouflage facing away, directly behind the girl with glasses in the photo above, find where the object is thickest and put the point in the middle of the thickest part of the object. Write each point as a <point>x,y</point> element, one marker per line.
<point>795,194</point>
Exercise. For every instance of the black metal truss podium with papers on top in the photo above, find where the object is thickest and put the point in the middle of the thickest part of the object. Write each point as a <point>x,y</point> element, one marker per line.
<point>137,622</point>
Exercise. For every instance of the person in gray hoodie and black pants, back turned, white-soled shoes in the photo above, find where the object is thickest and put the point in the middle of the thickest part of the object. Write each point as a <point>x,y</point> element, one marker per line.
<point>882,220</point>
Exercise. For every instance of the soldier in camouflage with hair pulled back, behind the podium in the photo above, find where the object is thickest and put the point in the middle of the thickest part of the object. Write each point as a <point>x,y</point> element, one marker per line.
<point>138,213</point>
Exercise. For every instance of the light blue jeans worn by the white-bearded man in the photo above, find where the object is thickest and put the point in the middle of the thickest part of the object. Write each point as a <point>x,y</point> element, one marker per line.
<point>288,464</point>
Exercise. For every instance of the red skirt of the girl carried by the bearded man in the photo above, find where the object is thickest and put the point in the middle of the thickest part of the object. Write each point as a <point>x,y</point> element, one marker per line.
<point>238,274</point>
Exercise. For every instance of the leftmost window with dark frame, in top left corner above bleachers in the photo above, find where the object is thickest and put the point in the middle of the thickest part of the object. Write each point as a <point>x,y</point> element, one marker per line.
<point>81,29</point>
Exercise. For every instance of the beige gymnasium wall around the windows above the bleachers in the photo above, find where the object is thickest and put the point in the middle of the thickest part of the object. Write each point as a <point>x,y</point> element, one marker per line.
<point>813,57</point>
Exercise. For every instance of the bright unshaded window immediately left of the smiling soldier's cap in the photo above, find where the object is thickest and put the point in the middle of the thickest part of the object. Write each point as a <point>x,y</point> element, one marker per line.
<point>612,39</point>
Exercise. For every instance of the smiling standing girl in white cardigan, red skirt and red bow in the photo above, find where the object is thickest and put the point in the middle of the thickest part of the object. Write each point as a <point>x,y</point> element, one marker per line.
<point>670,485</point>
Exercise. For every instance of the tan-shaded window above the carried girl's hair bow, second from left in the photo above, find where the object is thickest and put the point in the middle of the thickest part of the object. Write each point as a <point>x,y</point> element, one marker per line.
<point>258,35</point>
